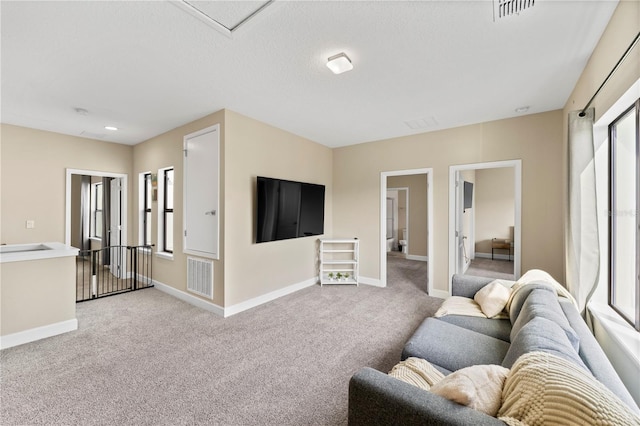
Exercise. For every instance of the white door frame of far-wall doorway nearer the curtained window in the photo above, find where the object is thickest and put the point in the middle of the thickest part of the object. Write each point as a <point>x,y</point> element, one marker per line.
<point>517,231</point>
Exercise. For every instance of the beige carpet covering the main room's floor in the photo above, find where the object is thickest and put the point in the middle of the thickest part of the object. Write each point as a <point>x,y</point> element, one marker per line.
<point>146,358</point>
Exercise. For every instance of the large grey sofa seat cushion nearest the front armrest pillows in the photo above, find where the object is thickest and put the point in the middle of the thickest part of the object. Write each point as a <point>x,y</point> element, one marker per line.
<point>453,347</point>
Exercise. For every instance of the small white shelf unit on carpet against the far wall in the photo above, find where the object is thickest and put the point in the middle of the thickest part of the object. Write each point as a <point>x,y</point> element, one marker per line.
<point>339,256</point>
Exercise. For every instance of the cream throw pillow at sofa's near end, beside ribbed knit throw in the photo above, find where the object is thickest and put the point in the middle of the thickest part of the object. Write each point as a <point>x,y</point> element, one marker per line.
<point>478,387</point>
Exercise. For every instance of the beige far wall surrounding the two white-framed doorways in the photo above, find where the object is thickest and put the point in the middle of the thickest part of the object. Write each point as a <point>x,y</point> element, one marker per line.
<point>536,139</point>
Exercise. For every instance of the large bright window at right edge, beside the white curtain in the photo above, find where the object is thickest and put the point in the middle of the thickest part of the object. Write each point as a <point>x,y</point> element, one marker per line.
<point>624,199</point>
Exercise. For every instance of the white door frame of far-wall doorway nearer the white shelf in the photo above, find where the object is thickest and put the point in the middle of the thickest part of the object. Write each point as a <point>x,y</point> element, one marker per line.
<point>383,223</point>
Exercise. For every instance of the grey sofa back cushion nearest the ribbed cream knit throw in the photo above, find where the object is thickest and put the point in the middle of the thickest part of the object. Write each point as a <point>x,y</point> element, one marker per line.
<point>540,334</point>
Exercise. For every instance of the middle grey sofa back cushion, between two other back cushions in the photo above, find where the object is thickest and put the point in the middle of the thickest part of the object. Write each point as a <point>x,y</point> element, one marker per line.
<point>543,302</point>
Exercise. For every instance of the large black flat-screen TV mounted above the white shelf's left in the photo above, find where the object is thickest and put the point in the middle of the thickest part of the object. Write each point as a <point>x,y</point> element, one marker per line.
<point>288,209</point>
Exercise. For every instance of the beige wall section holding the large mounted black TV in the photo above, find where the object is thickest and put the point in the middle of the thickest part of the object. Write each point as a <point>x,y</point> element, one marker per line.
<point>257,149</point>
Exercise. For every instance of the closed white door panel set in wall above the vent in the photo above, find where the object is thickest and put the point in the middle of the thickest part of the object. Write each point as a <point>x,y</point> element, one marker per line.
<point>201,192</point>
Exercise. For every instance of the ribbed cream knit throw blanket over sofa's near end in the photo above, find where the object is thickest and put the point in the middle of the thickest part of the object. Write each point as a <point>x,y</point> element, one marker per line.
<point>543,389</point>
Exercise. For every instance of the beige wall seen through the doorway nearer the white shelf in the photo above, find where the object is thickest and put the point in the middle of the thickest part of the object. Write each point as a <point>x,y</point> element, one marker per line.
<point>417,185</point>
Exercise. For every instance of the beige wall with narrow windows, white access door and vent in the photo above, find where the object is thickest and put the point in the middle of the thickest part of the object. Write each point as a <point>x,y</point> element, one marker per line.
<point>163,151</point>
